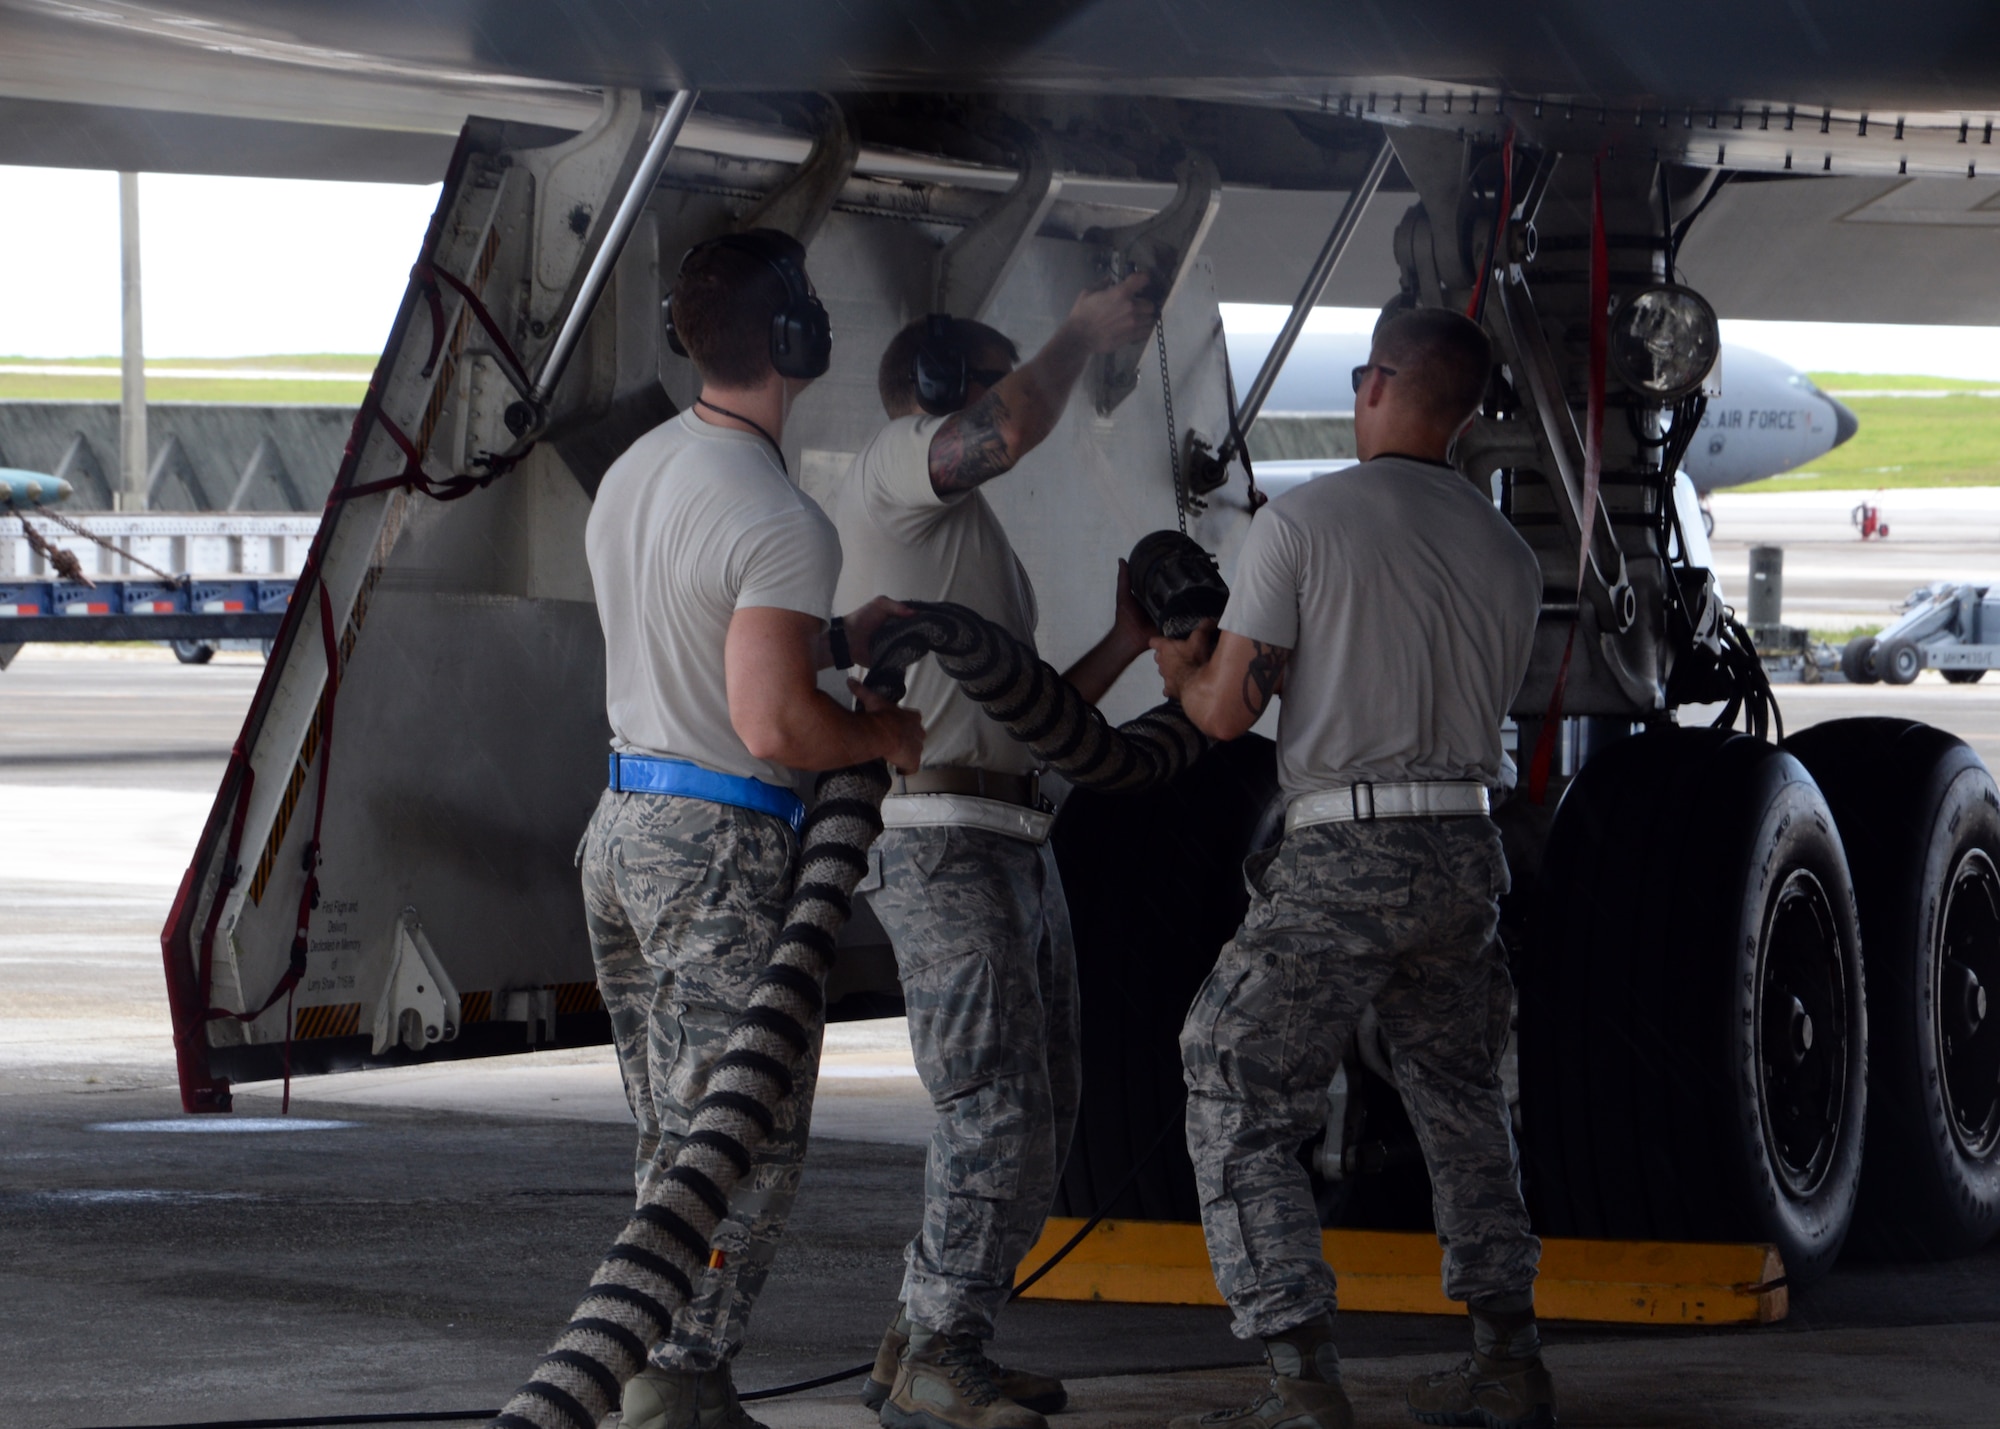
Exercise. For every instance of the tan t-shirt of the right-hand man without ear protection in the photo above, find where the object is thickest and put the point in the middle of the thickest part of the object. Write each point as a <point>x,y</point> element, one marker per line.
<point>1409,605</point>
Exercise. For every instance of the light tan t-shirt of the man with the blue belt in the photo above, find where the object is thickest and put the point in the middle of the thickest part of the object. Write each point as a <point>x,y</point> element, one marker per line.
<point>689,527</point>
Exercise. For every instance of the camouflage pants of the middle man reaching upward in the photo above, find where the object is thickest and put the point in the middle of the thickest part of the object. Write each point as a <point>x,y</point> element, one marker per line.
<point>989,976</point>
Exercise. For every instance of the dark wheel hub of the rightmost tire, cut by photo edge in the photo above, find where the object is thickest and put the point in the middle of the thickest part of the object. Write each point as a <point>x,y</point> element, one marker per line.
<point>1967,1038</point>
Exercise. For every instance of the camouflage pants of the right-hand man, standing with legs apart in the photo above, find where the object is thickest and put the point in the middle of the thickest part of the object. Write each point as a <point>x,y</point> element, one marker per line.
<point>1403,916</point>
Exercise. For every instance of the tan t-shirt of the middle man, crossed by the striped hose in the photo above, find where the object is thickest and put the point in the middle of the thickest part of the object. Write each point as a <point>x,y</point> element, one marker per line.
<point>905,541</point>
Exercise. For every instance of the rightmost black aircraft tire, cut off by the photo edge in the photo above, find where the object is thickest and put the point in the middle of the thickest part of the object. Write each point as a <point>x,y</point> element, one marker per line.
<point>1919,816</point>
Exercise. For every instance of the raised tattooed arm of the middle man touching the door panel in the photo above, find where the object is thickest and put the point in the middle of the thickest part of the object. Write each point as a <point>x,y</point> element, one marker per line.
<point>1021,409</point>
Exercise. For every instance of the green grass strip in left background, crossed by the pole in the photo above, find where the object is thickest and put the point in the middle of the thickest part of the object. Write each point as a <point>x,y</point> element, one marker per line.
<point>163,387</point>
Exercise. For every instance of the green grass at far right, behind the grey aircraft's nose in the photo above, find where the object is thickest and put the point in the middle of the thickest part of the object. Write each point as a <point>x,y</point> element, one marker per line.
<point>1905,441</point>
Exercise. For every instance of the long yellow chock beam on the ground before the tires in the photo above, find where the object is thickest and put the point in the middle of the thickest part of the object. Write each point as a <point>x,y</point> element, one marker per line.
<point>1613,1282</point>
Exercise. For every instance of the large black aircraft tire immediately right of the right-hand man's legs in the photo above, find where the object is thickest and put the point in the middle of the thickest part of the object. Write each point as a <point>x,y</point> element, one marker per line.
<point>1693,888</point>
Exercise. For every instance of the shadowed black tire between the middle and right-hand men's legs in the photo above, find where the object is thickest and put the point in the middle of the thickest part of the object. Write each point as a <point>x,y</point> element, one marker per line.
<point>1155,888</point>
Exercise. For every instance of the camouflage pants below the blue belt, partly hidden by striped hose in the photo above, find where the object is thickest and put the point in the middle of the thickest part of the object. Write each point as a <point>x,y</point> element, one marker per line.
<point>683,900</point>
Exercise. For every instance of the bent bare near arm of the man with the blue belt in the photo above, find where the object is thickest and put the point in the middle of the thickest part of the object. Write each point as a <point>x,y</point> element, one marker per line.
<point>781,713</point>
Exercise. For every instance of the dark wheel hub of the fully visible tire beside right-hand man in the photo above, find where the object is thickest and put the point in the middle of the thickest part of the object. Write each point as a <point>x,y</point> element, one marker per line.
<point>1803,1048</point>
